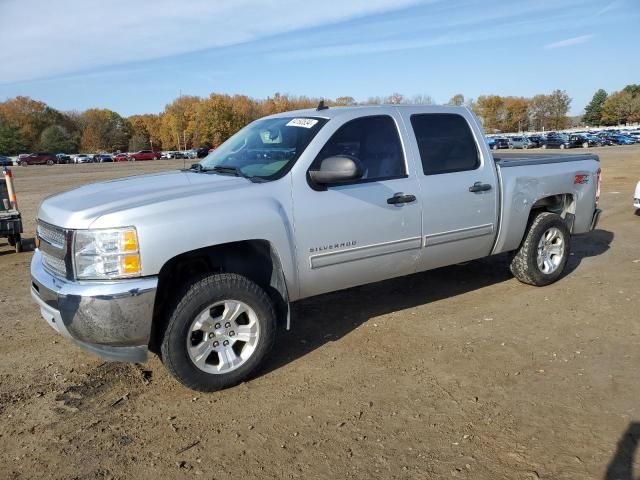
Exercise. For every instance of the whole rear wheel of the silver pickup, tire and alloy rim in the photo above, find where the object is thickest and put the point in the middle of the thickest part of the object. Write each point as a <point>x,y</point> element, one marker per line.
<point>543,254</point>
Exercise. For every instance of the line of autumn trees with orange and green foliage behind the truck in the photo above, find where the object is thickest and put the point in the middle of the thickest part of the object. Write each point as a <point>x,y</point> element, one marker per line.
<point>28,125</point>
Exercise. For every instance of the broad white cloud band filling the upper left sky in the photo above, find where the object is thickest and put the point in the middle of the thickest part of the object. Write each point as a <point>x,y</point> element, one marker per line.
<point>44,38</point>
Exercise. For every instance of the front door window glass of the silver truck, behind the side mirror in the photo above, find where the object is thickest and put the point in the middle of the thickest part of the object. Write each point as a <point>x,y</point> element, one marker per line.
<point>372,140</point>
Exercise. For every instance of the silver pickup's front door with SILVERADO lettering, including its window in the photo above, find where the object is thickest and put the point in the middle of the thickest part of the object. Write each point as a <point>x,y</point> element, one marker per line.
<point>354,234</point>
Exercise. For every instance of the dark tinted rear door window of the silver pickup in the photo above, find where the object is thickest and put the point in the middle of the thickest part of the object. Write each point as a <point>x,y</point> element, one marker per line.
<point>445,142</point>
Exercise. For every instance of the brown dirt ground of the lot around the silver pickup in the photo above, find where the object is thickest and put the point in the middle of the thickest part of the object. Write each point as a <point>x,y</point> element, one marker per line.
<point>460,372</point>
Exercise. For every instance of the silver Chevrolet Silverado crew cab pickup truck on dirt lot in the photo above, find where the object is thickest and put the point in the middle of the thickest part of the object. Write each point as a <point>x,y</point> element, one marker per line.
<point>200,265</point>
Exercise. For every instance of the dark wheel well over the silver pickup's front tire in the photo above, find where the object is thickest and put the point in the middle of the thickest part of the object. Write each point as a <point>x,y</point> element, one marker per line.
<point>256,259</point>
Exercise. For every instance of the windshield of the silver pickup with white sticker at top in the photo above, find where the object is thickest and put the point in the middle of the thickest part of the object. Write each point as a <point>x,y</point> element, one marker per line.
<point>265,149</point>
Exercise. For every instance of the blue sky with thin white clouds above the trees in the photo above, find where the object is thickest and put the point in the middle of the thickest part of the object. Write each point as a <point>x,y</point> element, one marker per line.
<point>135,56</point>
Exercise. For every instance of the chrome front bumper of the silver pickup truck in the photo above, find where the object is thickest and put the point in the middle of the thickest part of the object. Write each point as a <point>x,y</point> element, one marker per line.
<point>111,319</point>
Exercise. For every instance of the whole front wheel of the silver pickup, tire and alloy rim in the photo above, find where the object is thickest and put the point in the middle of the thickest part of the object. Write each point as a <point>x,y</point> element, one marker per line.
<point>219,333</point>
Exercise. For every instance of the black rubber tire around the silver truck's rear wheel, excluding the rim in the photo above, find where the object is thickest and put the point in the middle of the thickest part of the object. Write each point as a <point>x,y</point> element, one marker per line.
<point>524,264</point>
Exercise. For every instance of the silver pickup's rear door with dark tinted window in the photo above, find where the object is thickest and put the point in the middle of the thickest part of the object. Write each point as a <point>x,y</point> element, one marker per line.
<point>459,187</point>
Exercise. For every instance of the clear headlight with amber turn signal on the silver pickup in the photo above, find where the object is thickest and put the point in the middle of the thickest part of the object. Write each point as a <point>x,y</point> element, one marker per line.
<point>106,254</point>
